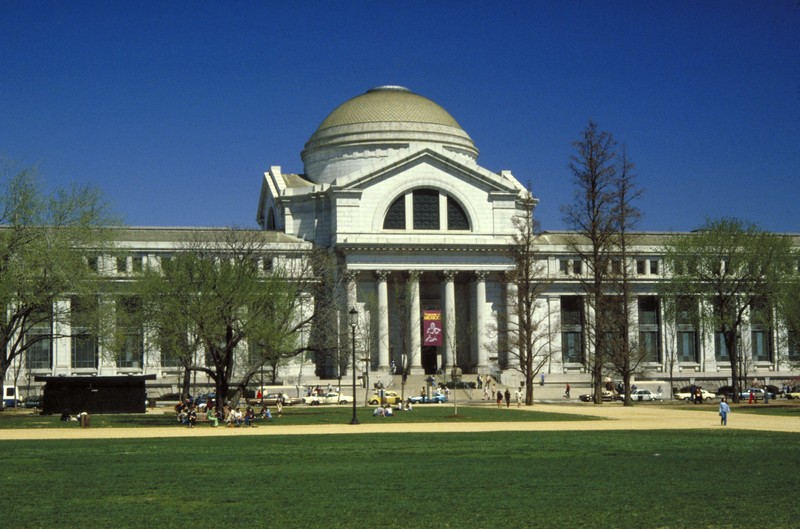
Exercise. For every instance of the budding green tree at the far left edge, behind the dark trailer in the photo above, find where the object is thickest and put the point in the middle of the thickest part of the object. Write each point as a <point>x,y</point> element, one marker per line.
<point>50,245</point>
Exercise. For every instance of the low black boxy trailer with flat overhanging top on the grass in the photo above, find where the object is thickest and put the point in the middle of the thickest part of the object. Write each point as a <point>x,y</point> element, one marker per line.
<point>94,394</point>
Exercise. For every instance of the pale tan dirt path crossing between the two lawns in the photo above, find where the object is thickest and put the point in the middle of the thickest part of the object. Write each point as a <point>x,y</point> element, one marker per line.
<point>616,418</point>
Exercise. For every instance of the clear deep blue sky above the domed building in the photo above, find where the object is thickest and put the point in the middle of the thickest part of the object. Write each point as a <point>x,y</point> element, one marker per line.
<point>175,109</point>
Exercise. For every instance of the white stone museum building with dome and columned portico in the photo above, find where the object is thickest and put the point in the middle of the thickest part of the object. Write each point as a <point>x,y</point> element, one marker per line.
<point>391,185</point>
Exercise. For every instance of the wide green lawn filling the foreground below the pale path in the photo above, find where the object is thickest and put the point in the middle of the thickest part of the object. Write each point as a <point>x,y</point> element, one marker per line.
<point>654,479</point>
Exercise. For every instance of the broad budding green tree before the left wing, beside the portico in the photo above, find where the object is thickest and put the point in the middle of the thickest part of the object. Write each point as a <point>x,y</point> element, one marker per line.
<point>227,305</point>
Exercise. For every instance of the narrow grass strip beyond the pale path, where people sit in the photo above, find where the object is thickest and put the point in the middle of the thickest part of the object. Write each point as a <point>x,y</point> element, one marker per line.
<point>299,415</point>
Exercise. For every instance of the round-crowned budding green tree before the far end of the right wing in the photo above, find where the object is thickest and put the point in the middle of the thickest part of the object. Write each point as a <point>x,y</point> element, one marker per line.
<point>734,269</point>
